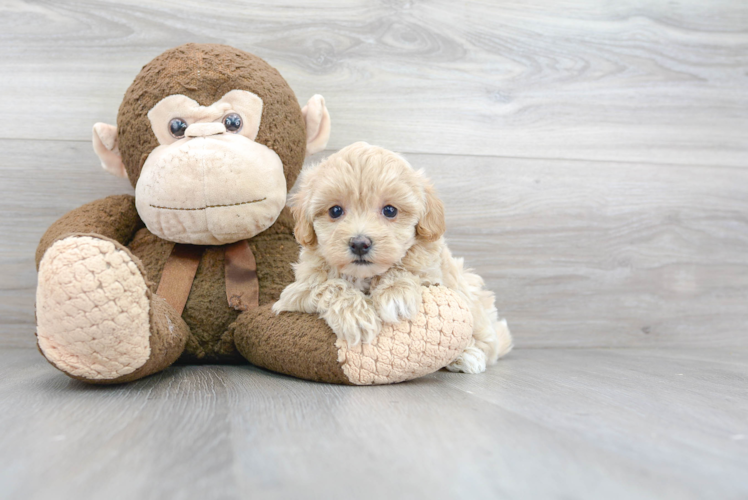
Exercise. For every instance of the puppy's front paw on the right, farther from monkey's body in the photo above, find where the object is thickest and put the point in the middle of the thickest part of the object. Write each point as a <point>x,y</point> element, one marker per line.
<point>396,295</point>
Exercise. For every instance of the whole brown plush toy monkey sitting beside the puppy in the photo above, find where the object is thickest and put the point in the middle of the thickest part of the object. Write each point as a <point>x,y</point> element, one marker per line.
<point>212,138</point>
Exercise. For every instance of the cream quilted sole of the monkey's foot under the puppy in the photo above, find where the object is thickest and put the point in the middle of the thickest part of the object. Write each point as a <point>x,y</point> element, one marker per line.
<point>406,350</point>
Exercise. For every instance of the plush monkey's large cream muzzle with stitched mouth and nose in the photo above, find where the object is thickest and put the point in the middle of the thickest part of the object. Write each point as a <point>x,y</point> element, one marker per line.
<point>210,188</point>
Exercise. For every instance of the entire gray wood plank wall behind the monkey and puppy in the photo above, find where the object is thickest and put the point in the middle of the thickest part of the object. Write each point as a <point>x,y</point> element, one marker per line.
<point>592,155</point>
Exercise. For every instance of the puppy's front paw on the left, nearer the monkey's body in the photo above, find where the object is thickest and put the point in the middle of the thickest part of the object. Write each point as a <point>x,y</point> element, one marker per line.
<point>355,321</point>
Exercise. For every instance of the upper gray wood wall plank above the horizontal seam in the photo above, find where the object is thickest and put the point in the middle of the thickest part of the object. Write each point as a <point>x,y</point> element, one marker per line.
<point>661,82</point>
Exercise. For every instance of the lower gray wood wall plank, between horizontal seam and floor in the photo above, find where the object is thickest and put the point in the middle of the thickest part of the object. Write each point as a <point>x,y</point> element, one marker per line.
<point>579,253</point>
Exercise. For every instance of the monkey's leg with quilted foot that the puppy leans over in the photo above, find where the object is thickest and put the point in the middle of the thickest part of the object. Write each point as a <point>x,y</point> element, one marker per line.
<point>303,345</point>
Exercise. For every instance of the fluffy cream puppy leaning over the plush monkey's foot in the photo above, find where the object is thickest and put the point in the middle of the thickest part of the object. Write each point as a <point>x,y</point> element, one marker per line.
<point>371,231</point>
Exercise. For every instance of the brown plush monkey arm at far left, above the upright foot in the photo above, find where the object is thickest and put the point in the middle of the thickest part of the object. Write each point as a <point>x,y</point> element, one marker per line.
<point>113,217</point>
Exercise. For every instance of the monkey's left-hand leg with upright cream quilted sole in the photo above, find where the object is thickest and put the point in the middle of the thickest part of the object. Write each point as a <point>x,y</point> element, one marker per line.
<point>97,320</point>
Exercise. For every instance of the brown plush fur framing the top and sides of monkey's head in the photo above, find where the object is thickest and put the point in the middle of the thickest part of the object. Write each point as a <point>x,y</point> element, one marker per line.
<point>205,72</point>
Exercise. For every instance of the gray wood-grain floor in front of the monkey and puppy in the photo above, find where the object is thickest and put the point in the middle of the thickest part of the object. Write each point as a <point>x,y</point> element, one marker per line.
<point>631,423</point>
